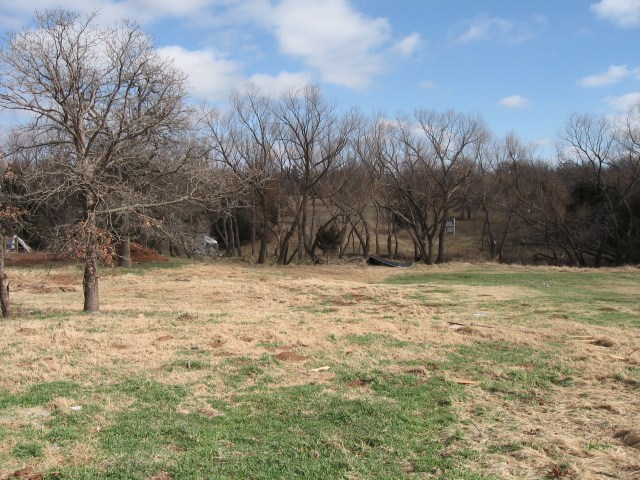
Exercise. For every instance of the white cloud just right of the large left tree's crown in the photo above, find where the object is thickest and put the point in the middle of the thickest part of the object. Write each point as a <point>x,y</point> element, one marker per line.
<point>209,76</point>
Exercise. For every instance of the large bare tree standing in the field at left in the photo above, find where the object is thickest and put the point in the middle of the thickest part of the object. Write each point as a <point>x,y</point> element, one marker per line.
<point>103,102</point>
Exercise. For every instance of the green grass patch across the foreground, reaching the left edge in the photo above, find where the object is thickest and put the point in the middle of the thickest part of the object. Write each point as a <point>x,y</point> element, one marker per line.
<point>394,426</point>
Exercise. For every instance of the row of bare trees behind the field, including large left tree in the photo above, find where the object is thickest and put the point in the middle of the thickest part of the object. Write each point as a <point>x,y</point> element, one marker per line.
<point>109,149</point>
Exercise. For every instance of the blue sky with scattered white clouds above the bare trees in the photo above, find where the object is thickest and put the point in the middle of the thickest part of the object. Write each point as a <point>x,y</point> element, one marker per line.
<point>524,65</point>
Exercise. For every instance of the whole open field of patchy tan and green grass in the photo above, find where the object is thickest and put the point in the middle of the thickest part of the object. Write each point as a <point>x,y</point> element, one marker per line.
<point>231,370</point>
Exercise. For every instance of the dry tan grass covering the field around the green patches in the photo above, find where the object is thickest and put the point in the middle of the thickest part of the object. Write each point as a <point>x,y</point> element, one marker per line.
<point>246,311</point>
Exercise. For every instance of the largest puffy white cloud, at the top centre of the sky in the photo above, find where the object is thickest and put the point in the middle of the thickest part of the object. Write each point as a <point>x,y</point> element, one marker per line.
<point>341,43</point>
